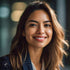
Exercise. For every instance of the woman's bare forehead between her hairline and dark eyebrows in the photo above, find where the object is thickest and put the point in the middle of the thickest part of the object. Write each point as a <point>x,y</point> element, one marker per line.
<point>39,15</point>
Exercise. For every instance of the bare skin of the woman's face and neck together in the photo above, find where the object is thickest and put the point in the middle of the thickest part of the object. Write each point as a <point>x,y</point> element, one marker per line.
<point>38,26</point>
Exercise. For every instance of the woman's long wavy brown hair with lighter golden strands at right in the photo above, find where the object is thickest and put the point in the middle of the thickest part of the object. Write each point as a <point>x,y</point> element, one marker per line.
<point>52,54</point>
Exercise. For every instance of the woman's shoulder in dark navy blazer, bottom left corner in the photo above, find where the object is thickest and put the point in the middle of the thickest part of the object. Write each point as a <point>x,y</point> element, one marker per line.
<point>5,63</point>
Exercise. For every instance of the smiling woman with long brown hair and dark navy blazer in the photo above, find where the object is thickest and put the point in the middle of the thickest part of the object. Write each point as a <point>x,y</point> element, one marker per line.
<point>38,43</point>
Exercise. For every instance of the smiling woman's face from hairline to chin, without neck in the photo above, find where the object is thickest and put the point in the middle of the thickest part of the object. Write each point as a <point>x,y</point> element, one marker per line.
<point>38,29</point>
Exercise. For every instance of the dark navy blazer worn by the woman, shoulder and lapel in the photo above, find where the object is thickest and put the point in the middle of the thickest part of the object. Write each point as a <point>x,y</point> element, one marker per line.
<point>6,65</point>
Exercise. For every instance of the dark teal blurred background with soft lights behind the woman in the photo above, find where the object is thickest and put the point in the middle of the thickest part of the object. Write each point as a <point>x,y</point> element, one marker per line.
<point>10,12</point>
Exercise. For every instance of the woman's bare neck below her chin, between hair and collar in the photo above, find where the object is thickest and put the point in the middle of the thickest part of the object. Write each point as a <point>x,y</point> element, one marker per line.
<point>35,54</point>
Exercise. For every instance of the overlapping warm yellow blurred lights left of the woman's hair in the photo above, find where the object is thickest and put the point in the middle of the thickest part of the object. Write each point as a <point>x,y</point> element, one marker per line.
<point>17,9</point>
